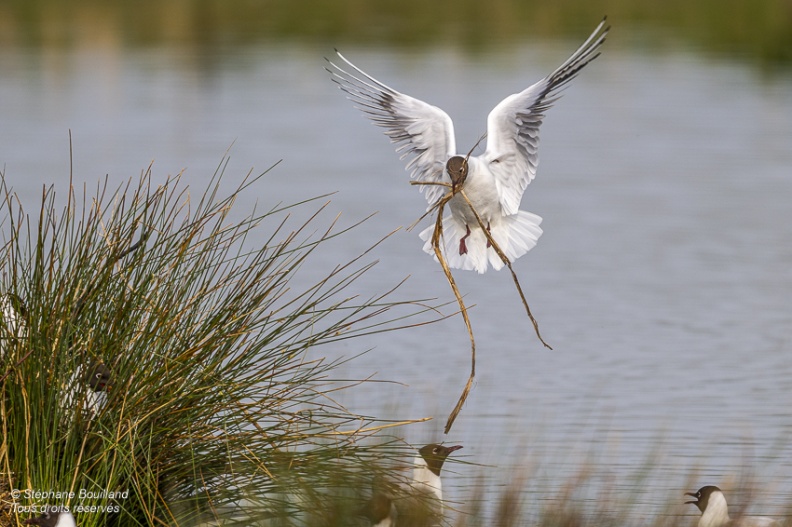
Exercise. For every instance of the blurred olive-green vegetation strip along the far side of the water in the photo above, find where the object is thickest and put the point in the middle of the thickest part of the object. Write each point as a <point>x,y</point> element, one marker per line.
<point>755,31</point>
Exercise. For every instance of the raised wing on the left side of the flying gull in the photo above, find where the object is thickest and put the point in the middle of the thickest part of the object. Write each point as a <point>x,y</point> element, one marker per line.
<point>420,130</point>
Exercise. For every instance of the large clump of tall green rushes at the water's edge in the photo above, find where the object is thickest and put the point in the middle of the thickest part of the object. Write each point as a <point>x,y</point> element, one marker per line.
<point>219,406</point>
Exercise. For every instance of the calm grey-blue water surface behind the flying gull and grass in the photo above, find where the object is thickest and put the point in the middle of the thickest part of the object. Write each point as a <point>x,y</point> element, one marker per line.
<point>663,279</point>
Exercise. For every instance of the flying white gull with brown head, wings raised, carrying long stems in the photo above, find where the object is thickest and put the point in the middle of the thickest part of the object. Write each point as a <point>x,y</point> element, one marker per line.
<point>495,181</point>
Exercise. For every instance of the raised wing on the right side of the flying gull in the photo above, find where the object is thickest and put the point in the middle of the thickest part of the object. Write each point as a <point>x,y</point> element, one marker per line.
<point>513,125</point>
